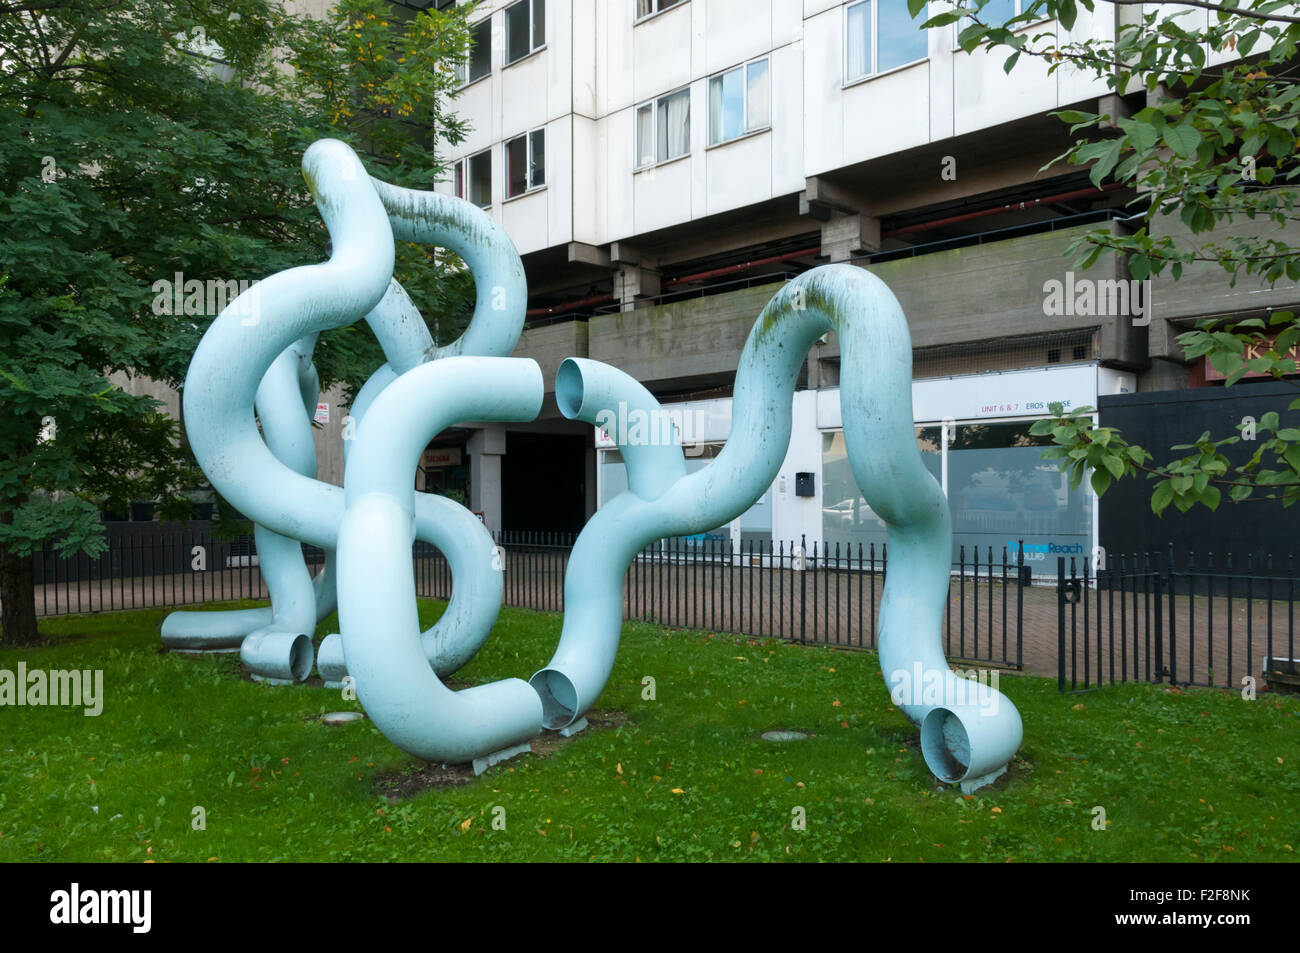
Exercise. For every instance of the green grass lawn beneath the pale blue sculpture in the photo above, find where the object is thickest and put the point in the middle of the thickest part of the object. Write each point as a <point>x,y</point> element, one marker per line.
<point>1182,777</point>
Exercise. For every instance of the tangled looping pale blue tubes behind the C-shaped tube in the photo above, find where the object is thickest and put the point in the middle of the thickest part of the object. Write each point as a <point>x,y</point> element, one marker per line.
<point>276,642</point>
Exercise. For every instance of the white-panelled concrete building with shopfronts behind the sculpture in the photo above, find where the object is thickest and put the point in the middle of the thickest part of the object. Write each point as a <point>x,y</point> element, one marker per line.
<point>664,166</point>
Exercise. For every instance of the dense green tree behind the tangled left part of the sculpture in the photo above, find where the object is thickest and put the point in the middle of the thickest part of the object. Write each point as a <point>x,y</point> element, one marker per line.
<point>150,138</point>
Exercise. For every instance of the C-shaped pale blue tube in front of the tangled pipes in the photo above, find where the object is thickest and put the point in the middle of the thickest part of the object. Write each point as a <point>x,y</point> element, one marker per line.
<point>378,605</point>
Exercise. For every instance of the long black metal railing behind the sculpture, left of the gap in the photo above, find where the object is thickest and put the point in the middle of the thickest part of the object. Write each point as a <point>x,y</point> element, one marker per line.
<point>787,590</point>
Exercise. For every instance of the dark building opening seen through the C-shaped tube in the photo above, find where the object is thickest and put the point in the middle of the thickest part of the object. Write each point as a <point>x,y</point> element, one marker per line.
<point>543,480</point>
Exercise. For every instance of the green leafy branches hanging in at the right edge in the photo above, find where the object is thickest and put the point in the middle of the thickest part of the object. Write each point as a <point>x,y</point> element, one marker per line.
<point>1212,144</point>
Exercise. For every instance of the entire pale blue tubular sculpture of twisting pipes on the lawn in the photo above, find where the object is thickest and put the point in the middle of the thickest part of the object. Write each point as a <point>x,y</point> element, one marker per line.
<point>969,731</point>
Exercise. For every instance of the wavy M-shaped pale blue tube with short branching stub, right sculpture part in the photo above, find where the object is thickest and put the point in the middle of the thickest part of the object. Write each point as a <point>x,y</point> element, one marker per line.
<point>974,731</point>
